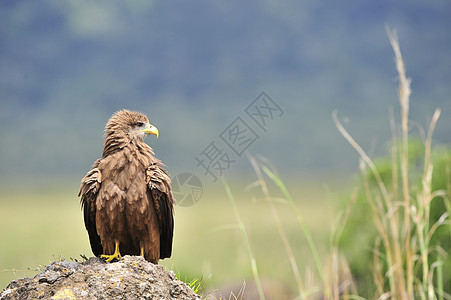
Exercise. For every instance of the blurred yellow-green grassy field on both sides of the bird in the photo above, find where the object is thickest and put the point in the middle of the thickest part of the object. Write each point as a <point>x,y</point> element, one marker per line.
<point>38,225</point>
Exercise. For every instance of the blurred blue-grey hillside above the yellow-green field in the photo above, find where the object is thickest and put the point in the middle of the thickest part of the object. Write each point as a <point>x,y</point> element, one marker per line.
<point>193,67</point>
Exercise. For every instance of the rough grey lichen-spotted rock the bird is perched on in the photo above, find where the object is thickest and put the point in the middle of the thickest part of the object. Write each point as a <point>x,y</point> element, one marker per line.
<point>132,277</point>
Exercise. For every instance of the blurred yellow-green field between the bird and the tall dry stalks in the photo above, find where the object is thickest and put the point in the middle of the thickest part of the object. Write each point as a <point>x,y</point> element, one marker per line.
<point>209,243</point>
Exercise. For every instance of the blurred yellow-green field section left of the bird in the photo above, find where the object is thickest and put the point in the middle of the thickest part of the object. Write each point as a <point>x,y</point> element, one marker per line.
<point>38,225</point>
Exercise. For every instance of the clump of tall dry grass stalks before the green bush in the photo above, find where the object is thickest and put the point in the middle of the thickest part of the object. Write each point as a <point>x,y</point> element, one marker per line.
<point>402,249</point>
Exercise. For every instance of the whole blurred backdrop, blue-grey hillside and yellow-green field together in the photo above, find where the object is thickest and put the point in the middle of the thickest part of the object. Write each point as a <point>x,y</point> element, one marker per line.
<point>193,67</point>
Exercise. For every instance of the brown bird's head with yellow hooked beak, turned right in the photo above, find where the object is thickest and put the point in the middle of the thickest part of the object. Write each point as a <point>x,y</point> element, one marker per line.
<point>129,125</point>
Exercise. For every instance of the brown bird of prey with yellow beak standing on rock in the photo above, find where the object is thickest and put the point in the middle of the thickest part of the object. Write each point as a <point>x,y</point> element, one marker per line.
<point>126,197</point>
